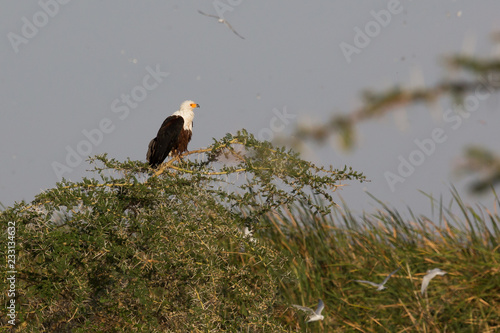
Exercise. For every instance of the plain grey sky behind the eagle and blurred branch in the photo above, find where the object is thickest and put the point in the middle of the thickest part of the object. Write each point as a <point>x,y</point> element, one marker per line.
<point>65,79</point>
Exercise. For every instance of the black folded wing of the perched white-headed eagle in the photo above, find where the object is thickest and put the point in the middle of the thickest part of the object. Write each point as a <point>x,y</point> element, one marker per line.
<point>165,140</point>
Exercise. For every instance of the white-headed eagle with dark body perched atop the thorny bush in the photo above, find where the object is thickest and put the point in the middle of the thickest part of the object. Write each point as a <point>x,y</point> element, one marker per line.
<point>173,135</point>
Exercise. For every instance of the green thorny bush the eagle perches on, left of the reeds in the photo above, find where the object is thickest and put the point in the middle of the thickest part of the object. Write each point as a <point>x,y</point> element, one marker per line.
<point>154,250</point>
